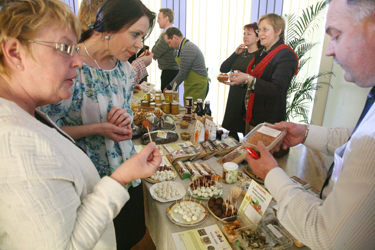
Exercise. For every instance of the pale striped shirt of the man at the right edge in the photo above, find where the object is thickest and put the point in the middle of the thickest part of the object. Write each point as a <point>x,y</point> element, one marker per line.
<point>346,218</point>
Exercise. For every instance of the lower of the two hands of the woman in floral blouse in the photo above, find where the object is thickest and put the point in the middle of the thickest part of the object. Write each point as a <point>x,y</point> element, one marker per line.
<point>114,132</point>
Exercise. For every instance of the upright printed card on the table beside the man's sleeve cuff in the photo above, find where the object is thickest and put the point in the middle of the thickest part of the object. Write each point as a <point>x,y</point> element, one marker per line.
<point>255,203</point>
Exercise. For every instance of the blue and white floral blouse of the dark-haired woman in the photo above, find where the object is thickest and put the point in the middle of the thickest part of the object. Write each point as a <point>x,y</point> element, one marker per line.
<point>94,93</point>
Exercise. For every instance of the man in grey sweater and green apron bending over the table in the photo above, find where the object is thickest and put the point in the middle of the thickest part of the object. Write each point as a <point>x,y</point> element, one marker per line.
<point>193,69</point>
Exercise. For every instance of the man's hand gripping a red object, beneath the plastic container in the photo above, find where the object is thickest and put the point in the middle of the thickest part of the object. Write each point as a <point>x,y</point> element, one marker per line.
<point>264,164</point>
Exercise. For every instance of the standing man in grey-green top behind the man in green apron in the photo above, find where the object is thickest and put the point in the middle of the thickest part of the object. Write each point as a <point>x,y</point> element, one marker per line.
<point>162,52</point>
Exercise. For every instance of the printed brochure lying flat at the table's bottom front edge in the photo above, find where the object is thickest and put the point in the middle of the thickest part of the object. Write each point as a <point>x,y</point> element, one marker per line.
<point>206,238</point>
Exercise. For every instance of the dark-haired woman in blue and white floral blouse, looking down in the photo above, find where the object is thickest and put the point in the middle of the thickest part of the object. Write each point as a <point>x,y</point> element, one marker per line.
<point>98,113</point>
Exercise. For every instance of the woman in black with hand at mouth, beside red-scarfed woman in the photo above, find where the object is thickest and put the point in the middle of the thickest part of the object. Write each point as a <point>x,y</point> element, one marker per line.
<point>239,60</point>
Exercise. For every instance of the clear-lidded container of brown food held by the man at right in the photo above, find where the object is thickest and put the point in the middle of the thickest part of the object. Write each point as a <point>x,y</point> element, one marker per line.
<point>268,134</point>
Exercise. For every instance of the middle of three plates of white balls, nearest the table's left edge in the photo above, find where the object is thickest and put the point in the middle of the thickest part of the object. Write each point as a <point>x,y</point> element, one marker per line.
<point>167,191</point>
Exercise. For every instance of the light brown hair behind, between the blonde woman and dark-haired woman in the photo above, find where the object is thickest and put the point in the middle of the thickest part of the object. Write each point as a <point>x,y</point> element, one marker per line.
<point>87,12</point>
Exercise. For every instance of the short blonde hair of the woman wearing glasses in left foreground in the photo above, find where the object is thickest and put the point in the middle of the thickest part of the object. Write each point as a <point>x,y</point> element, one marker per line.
<point>23,19</point>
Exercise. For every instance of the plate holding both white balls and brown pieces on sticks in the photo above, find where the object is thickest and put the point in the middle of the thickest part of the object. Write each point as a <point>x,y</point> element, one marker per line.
<point>203,188</point>
